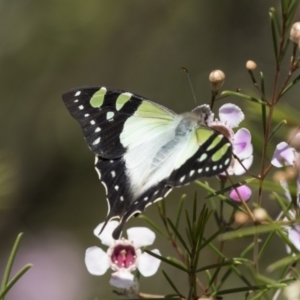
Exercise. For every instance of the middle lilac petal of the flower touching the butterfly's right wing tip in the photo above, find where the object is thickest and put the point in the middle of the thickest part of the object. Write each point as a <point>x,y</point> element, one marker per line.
<point>242,146</point>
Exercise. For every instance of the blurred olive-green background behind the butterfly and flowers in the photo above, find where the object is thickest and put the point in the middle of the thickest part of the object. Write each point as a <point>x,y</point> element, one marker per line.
<point>49,189</point>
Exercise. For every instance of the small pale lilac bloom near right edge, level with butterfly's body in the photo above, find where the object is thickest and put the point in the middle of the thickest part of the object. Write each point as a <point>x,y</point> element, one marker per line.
<point>283,153</point>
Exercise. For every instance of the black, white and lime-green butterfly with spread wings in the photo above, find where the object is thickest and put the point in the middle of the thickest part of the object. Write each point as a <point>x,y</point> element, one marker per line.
<point>143,149</point>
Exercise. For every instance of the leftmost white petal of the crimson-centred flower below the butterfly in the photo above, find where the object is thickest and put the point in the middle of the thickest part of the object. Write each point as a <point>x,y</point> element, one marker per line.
<point>96,261</point>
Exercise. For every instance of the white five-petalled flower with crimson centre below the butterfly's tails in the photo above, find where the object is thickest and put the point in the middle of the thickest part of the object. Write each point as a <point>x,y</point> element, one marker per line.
<point>123,256</point>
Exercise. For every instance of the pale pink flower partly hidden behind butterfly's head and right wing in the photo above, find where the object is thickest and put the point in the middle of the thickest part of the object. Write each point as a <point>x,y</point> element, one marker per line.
<point>230,116</point>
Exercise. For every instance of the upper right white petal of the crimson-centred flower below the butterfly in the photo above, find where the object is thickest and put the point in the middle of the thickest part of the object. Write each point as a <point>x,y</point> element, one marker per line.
<point>141,236</point>
